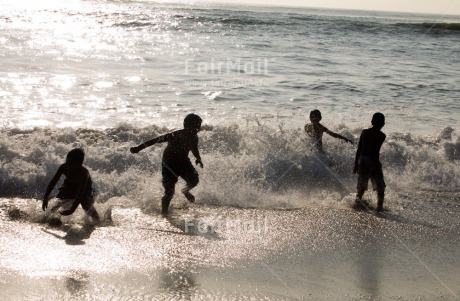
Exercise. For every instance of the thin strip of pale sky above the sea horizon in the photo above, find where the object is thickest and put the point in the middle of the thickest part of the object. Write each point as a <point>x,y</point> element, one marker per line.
<point>451,7</point>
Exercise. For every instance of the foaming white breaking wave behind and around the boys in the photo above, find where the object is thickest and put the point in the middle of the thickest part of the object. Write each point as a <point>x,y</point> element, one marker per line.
<point>245,166</point>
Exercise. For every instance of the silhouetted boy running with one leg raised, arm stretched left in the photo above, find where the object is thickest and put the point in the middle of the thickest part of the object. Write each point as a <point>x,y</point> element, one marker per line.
<point>176,162</point>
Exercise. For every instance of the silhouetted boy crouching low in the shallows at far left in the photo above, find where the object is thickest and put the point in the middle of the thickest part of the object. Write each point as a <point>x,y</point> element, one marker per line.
<point>77,185</point>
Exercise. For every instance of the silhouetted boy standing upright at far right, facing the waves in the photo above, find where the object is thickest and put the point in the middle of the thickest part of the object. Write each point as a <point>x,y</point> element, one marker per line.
<point>367,162</point>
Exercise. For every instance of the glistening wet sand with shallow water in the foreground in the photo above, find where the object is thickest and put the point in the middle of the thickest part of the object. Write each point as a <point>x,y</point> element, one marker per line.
<point>222,253</point>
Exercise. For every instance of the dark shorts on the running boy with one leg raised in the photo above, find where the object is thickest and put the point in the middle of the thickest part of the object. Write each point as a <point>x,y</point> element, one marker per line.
<point>171,171</point>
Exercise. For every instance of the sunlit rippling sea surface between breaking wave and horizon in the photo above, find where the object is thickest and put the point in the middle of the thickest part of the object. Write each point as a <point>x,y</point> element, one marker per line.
<point>97,64</point>
